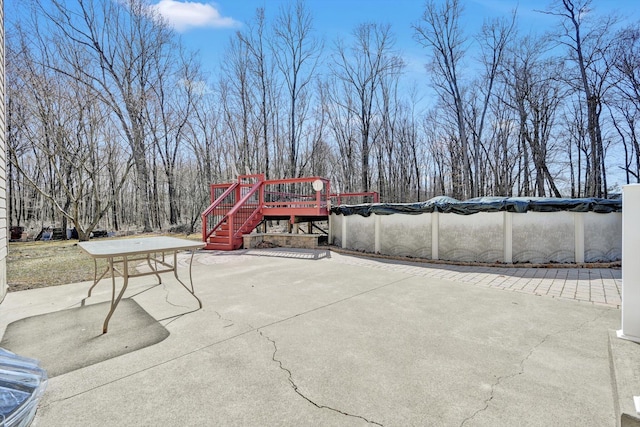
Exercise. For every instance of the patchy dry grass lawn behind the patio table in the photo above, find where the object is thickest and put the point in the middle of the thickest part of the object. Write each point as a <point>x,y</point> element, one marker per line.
<point>33,265</point>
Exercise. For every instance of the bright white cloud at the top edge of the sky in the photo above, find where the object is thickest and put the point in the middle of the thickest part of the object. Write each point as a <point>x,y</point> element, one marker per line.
<point>183,15</point>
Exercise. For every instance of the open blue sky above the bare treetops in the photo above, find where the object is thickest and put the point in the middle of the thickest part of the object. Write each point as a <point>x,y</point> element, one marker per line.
<point>206,26</point>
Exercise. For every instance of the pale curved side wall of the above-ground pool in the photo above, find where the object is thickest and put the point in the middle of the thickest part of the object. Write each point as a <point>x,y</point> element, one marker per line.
<point>537,237</point>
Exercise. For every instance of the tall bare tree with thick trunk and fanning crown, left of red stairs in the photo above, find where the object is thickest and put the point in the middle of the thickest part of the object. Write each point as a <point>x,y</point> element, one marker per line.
<point>121,40</point>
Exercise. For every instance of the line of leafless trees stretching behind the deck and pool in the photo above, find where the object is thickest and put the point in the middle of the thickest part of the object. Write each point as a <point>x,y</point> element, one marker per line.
<point>113,124</point>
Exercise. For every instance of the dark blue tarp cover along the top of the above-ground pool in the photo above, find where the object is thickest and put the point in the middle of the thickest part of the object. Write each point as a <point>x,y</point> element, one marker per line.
<point>484,204</point>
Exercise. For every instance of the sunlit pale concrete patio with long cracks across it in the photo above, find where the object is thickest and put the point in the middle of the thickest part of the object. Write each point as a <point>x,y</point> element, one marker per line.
<point>314,337</point>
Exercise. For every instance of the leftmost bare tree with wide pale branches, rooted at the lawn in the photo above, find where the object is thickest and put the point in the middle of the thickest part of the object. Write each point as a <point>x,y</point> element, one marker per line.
<point>60,137</point>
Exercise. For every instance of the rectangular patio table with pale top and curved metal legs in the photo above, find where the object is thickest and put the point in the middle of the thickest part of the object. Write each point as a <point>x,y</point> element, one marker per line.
<point>153,250</point>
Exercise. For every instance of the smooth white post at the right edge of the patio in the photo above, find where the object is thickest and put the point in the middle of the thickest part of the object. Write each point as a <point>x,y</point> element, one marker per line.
<point>630,263</point>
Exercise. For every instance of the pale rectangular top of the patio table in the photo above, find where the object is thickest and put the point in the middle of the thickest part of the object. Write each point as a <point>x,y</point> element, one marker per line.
<point>144,245</point>
